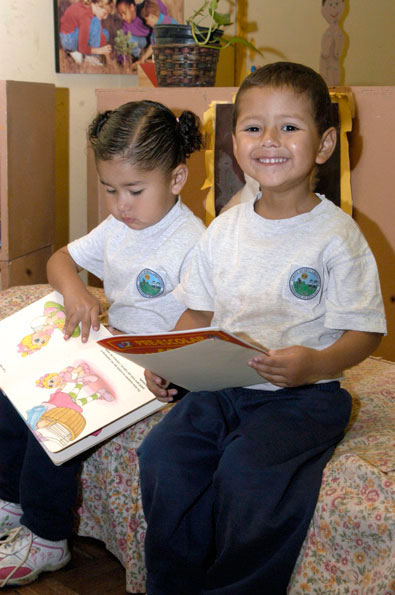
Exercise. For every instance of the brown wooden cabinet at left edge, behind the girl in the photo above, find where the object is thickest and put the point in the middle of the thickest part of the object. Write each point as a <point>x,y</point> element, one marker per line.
<point>27,180</point>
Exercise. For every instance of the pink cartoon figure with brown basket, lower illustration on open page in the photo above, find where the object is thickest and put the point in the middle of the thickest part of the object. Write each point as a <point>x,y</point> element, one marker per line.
<point>60,420</point>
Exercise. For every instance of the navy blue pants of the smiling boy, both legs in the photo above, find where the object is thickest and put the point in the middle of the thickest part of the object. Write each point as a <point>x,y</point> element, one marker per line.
<point>230,480</point>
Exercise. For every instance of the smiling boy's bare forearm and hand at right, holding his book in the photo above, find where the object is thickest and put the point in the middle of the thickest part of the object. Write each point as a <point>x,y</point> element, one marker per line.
<point>297,365</point>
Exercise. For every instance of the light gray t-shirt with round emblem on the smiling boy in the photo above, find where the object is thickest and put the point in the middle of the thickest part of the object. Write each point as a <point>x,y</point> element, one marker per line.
<point>297,281</point>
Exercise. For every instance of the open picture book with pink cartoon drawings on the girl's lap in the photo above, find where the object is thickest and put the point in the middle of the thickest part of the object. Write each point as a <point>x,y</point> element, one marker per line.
<point>72,395</point>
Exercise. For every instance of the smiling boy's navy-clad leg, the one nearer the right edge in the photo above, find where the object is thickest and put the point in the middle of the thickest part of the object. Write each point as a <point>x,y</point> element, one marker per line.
<point>267,484</point>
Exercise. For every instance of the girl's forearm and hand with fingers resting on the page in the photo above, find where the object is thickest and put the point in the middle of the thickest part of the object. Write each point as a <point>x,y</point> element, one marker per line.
<point>80,304</point>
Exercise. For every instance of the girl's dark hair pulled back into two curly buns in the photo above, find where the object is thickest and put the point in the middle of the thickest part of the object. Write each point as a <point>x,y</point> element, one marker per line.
<point>146,134</point>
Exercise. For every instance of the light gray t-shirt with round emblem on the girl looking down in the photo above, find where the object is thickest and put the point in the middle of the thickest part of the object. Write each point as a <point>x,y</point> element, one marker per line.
<point>140,268</point>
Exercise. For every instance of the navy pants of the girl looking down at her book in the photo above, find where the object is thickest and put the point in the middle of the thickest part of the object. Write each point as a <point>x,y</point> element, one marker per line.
<point>47,493</point>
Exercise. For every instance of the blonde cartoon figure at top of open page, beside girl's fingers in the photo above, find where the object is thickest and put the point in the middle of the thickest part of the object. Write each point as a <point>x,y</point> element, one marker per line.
<point>43,327</point>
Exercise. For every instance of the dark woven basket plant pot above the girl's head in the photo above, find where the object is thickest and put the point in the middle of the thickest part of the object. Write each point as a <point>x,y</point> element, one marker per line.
<point>180,61</point>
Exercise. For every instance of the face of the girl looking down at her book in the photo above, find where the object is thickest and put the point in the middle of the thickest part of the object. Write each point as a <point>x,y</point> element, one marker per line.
<point>137,197</point>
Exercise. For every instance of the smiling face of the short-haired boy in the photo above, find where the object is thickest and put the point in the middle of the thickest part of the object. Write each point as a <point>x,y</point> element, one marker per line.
<point>276,140</point>
